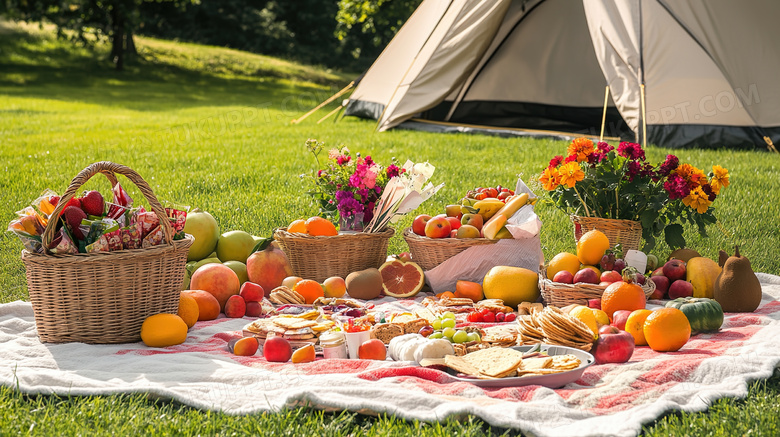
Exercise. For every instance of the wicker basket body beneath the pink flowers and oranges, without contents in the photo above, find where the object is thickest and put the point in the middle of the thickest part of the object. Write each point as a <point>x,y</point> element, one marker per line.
<point>321,257</point>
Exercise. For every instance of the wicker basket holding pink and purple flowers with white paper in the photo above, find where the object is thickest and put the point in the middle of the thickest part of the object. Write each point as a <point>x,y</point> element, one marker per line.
<point>363,197</point>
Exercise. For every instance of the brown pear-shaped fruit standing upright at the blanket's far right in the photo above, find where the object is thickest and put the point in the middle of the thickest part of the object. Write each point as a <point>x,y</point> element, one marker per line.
<point>737,288</point>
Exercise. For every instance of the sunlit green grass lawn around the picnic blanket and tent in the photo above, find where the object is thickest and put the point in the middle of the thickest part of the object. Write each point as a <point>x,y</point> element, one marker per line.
<point>209,127</point>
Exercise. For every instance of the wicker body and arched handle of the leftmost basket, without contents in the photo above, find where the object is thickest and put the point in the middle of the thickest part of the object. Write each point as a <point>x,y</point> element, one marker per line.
<point>104,297</point>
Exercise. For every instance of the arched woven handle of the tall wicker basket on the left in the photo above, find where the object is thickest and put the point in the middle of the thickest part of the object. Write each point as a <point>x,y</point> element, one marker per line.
<point>110,170</point>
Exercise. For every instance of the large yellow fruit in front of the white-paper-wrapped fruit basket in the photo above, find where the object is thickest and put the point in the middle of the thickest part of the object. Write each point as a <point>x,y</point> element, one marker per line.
<point>511,284</point>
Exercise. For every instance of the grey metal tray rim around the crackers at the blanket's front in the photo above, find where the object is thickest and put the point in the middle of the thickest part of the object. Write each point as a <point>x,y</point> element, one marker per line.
<point>555,380</point>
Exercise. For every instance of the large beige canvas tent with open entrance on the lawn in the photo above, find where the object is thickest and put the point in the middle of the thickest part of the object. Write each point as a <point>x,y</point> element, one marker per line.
<point>710,70</point>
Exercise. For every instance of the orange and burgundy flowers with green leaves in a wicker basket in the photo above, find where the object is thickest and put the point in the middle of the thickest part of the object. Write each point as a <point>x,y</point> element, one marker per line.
<point>630,199</point>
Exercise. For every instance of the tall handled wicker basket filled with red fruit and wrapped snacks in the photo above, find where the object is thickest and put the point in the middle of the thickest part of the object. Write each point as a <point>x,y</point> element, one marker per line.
<point>94,276</point>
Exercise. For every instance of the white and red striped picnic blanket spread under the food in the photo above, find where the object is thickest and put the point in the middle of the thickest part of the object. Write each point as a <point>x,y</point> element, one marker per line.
<point>608,399</point>
